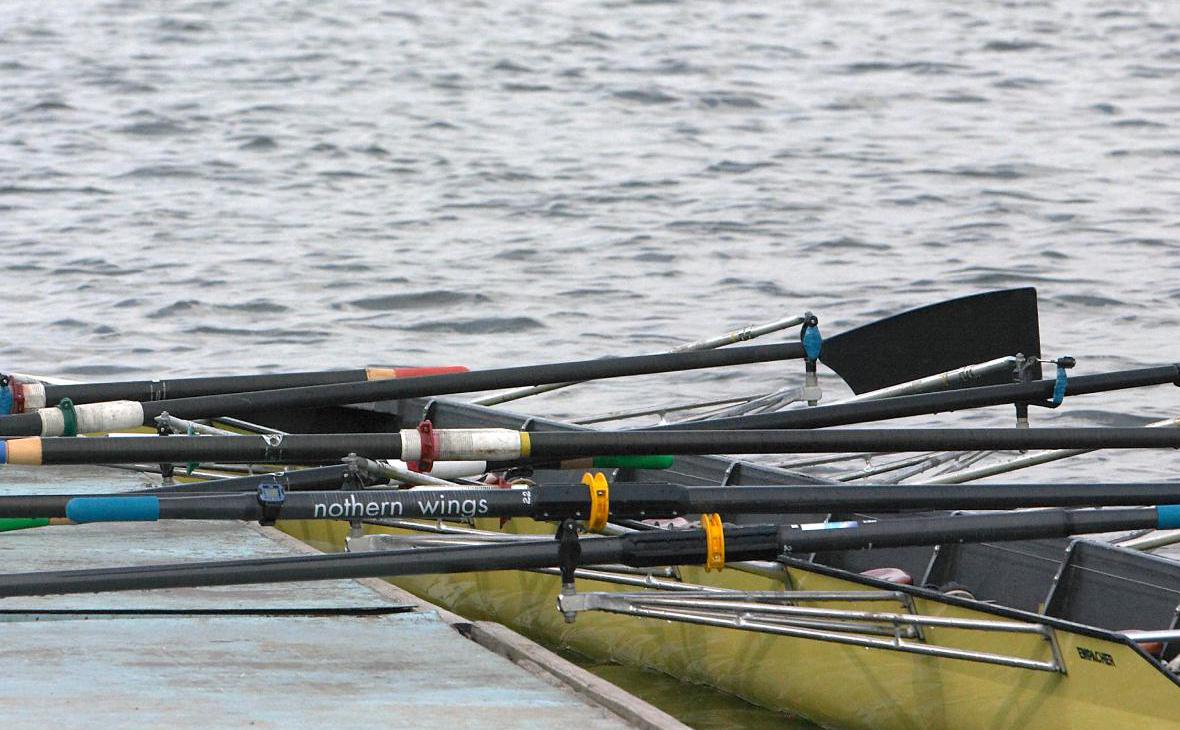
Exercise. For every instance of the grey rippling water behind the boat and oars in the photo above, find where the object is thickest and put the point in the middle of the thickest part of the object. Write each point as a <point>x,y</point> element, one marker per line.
<point>220,187</point>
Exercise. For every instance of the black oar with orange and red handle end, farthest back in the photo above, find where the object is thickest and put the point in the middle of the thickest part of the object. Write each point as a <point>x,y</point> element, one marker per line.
<point>28,397</point>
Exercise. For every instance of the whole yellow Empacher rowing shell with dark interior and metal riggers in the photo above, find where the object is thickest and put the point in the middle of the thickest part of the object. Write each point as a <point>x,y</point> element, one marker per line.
<point>1022,635</point>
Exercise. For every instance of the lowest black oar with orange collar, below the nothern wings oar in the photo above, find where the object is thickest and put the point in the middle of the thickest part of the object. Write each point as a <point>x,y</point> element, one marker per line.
<point>638,550</point>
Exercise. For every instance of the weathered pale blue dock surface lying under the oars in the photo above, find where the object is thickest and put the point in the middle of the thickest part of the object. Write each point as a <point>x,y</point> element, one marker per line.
<point>296,655</point>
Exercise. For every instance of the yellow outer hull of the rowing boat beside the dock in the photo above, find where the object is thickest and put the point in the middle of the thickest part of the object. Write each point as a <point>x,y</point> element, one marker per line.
<point>832,685</point>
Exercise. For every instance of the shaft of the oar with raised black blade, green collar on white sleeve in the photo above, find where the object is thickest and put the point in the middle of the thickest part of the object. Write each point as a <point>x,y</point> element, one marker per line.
<point>116,416</point>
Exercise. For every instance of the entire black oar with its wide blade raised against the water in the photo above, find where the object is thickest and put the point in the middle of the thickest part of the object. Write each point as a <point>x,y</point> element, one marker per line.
<point>975,318</point>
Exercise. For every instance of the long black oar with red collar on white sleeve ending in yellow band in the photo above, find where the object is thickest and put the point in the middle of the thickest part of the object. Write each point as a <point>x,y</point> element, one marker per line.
<point>502,448</point>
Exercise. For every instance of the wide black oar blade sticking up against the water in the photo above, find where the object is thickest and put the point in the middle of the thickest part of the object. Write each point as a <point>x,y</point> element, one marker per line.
<point>936,339</point>
